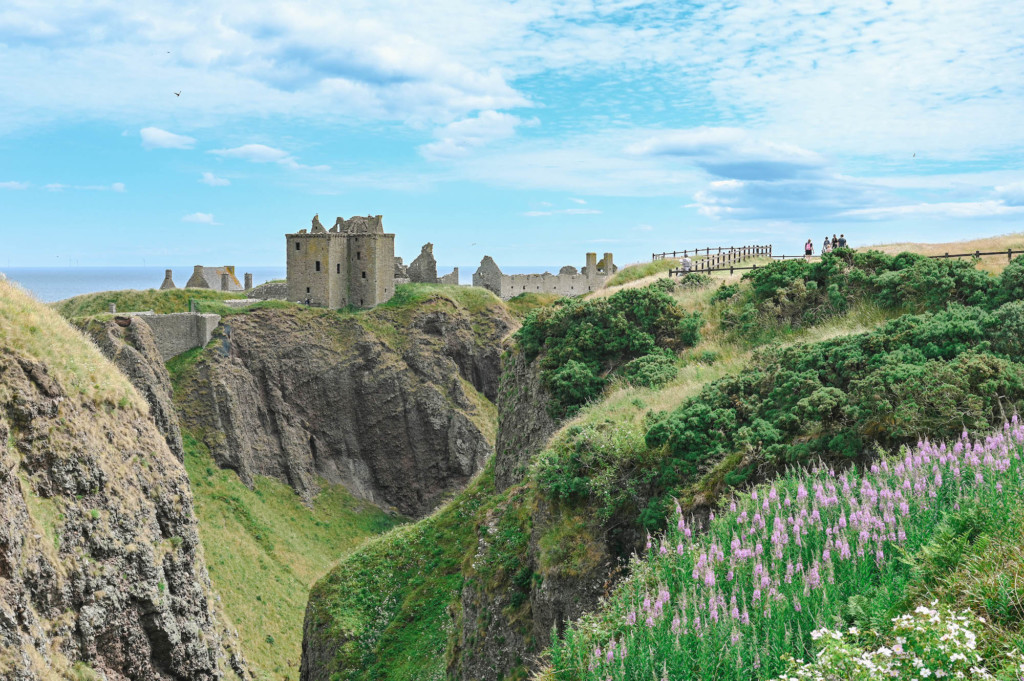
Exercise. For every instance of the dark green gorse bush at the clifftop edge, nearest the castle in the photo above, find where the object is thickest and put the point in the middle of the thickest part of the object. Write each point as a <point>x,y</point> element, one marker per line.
<point>583,344</point>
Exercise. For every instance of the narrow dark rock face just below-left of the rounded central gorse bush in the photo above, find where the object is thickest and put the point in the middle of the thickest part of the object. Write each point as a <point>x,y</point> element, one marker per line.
<point>524,423</point>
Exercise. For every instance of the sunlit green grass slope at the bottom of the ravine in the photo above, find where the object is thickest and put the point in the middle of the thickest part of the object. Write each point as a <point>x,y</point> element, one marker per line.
<point>265,549</point>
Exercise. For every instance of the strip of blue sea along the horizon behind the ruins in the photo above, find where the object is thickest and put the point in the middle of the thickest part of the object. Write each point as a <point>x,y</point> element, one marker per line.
<point>53,284</point>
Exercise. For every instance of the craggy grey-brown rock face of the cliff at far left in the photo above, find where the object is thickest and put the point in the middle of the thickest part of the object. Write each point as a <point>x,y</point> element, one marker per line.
<point>101,567</point>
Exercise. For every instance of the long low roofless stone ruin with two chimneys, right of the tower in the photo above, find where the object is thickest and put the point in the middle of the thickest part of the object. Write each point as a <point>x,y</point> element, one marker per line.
<point>567,283</point>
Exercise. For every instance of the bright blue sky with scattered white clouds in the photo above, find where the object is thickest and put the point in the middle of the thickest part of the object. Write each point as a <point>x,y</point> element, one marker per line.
<point>201,133</point>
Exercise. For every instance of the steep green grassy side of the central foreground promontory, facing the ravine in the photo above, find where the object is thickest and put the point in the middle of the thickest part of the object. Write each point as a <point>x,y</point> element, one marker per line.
<point>386,607</point>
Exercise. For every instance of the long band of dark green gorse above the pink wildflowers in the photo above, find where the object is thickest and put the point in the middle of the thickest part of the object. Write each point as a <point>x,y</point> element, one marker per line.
<point>918,375</point>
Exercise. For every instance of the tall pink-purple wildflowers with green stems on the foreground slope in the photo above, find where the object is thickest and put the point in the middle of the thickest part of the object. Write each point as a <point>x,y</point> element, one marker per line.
<point>762,587</point>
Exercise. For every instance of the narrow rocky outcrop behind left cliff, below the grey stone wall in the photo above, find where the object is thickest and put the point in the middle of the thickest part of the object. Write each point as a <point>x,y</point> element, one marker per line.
<point>129,343</point>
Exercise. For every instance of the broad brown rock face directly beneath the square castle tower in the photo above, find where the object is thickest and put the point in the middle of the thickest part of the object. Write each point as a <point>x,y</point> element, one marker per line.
<point>385,403</point>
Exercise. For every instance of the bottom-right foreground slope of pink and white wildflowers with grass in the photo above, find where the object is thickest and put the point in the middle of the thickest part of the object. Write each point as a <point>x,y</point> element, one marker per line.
<point>794,567</point>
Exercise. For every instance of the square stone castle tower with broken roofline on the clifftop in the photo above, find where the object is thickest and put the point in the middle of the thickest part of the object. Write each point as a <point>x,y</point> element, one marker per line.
<point>351,265</point>
